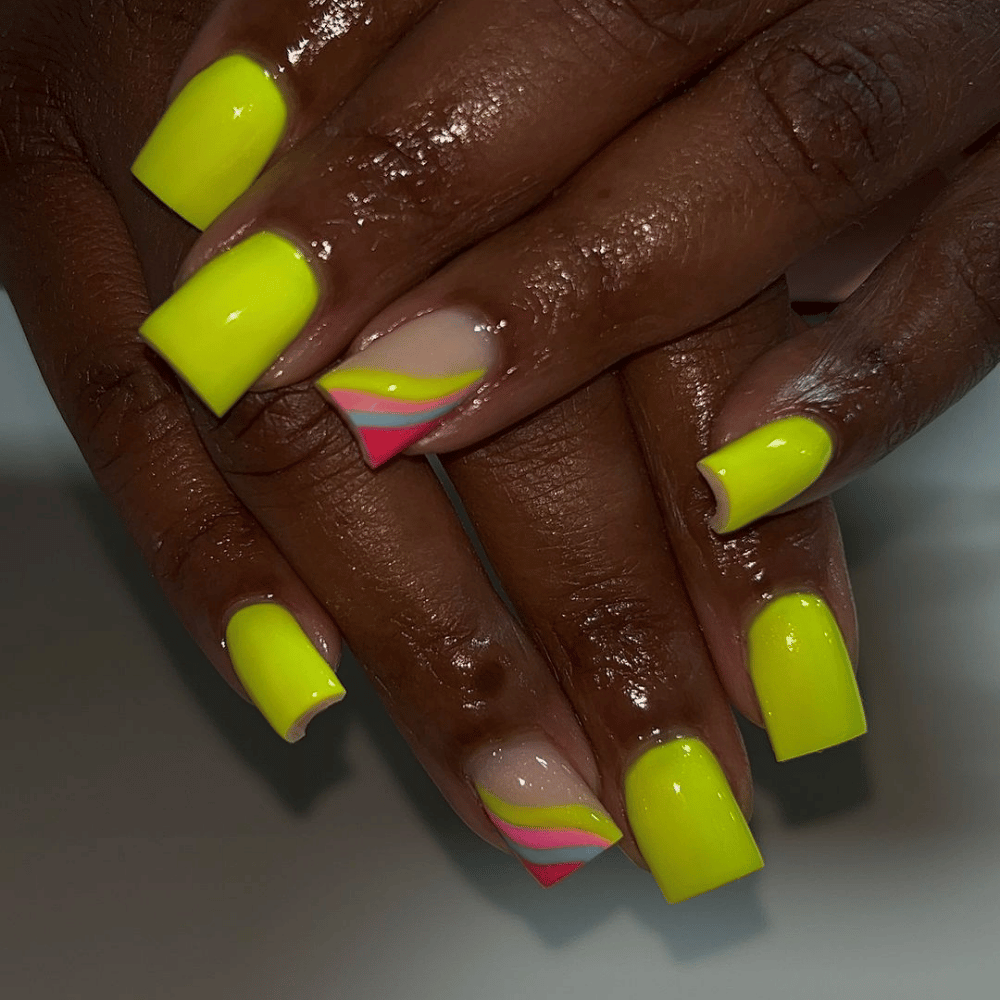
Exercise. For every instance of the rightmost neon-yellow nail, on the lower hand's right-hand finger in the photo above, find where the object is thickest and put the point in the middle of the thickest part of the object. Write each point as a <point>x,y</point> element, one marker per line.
<point>803,676</point>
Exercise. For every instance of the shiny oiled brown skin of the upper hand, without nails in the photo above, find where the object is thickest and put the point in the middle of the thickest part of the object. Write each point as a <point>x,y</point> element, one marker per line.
<point>806,116</point>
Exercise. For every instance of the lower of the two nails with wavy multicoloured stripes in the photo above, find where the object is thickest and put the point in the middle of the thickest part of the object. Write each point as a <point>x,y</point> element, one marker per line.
<point>543,809</point>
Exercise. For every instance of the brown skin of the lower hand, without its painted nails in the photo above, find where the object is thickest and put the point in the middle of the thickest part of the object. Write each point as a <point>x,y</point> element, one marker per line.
<point>275,502</point>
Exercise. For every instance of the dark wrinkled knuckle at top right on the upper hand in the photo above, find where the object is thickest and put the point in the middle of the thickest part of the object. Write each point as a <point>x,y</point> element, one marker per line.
<point>835,109</point>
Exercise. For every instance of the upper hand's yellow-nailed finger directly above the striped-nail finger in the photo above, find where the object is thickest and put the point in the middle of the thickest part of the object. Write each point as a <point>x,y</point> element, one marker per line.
<point>427,157</point>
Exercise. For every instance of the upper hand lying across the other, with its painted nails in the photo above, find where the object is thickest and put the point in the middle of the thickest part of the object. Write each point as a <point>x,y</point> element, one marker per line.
<point>810,115</point>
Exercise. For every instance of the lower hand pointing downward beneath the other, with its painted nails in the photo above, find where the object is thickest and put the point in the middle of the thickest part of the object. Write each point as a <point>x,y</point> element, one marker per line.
<point>586,715</point>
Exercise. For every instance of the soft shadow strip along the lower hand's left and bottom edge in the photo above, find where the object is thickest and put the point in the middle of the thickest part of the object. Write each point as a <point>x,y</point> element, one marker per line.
<point>299,774</point>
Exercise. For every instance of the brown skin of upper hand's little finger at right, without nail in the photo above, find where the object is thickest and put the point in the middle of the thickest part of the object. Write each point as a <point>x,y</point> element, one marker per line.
<point>912,341</point>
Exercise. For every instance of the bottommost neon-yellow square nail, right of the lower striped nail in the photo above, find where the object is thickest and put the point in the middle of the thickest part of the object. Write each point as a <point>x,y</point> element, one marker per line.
<point>686,821</point>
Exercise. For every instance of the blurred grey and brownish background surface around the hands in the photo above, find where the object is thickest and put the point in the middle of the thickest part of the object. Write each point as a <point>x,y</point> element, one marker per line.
<point>157,841</point>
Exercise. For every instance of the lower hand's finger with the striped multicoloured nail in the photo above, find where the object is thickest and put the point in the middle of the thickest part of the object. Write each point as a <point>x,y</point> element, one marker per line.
<point>464,684</point>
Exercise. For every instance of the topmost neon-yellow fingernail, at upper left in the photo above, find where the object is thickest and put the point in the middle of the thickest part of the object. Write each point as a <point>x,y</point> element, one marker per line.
<point>214,139</point>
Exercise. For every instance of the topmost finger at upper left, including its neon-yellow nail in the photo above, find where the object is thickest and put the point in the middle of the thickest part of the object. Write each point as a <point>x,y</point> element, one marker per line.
<point>259,77</point>
